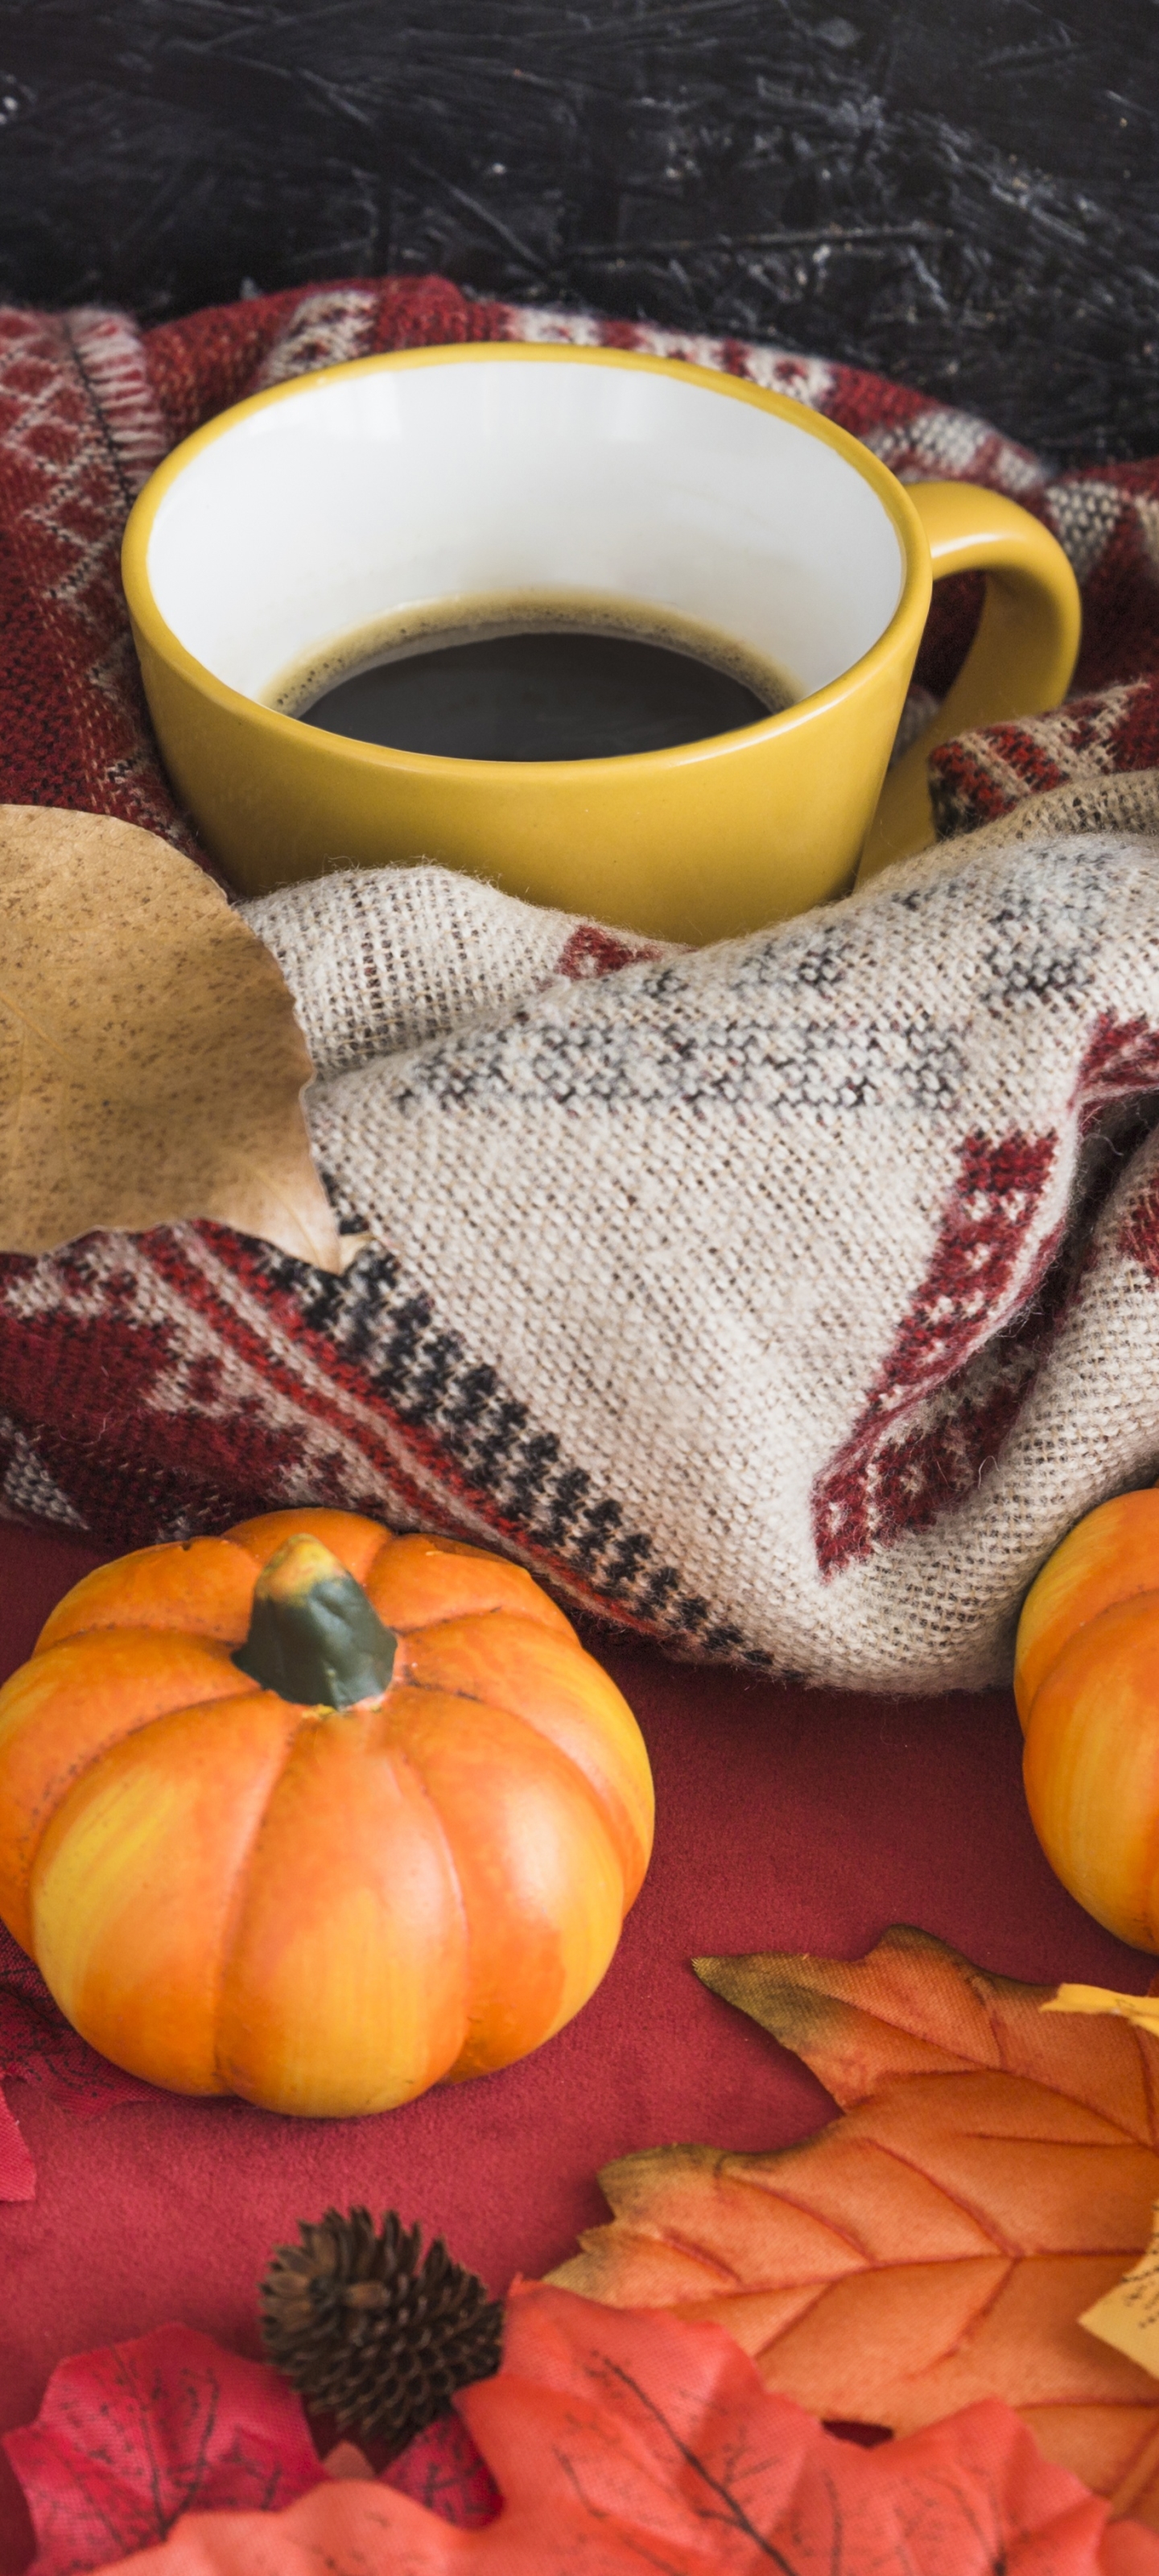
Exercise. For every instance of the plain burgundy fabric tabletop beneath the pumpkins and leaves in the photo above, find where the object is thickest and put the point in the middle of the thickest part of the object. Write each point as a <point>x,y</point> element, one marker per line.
<point>787,1820</point>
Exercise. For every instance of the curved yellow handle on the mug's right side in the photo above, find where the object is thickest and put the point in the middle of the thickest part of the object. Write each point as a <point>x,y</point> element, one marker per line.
<point>1021,658</point>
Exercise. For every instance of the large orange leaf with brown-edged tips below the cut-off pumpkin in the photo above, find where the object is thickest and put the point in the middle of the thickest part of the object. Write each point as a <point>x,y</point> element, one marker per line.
<point>993,2175</point>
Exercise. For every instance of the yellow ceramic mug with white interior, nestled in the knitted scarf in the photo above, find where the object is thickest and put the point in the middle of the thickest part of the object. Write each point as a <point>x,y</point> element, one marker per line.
<point>462,473</point>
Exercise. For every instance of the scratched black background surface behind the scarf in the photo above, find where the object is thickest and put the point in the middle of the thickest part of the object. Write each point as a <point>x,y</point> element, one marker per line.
<point>959,192</point>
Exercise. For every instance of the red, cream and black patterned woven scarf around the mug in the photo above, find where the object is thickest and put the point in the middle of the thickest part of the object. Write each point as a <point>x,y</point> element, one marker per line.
<point>784,1300</point>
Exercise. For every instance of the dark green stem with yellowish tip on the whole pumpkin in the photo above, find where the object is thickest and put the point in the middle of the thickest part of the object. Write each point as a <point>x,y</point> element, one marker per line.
<point>313,1632</point>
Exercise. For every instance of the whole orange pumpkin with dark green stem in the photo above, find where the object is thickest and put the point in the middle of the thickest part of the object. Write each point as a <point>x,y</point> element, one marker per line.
<point>318,1815</point>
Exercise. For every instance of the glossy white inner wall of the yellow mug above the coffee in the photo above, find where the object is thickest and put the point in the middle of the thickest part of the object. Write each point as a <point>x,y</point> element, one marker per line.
<point>388,488</point>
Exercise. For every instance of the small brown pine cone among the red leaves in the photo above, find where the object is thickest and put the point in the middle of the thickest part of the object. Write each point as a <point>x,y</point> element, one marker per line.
<point>372,2335</point>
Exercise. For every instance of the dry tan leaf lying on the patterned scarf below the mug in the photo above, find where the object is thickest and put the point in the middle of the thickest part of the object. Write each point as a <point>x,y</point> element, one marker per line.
<point>151,1060</point>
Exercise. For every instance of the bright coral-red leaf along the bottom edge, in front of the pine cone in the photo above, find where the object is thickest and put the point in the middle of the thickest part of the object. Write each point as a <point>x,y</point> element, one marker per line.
<point>637,2443</point>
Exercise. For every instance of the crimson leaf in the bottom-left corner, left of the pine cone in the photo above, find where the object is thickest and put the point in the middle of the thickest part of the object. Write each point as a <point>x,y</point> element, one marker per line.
<point>135,2436</point>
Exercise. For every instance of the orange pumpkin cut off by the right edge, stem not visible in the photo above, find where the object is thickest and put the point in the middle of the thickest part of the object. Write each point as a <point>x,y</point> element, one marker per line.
<point>1088,1696</point>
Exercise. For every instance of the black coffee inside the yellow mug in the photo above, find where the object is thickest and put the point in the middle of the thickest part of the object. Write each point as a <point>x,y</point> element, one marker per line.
<point>540,697</point>
